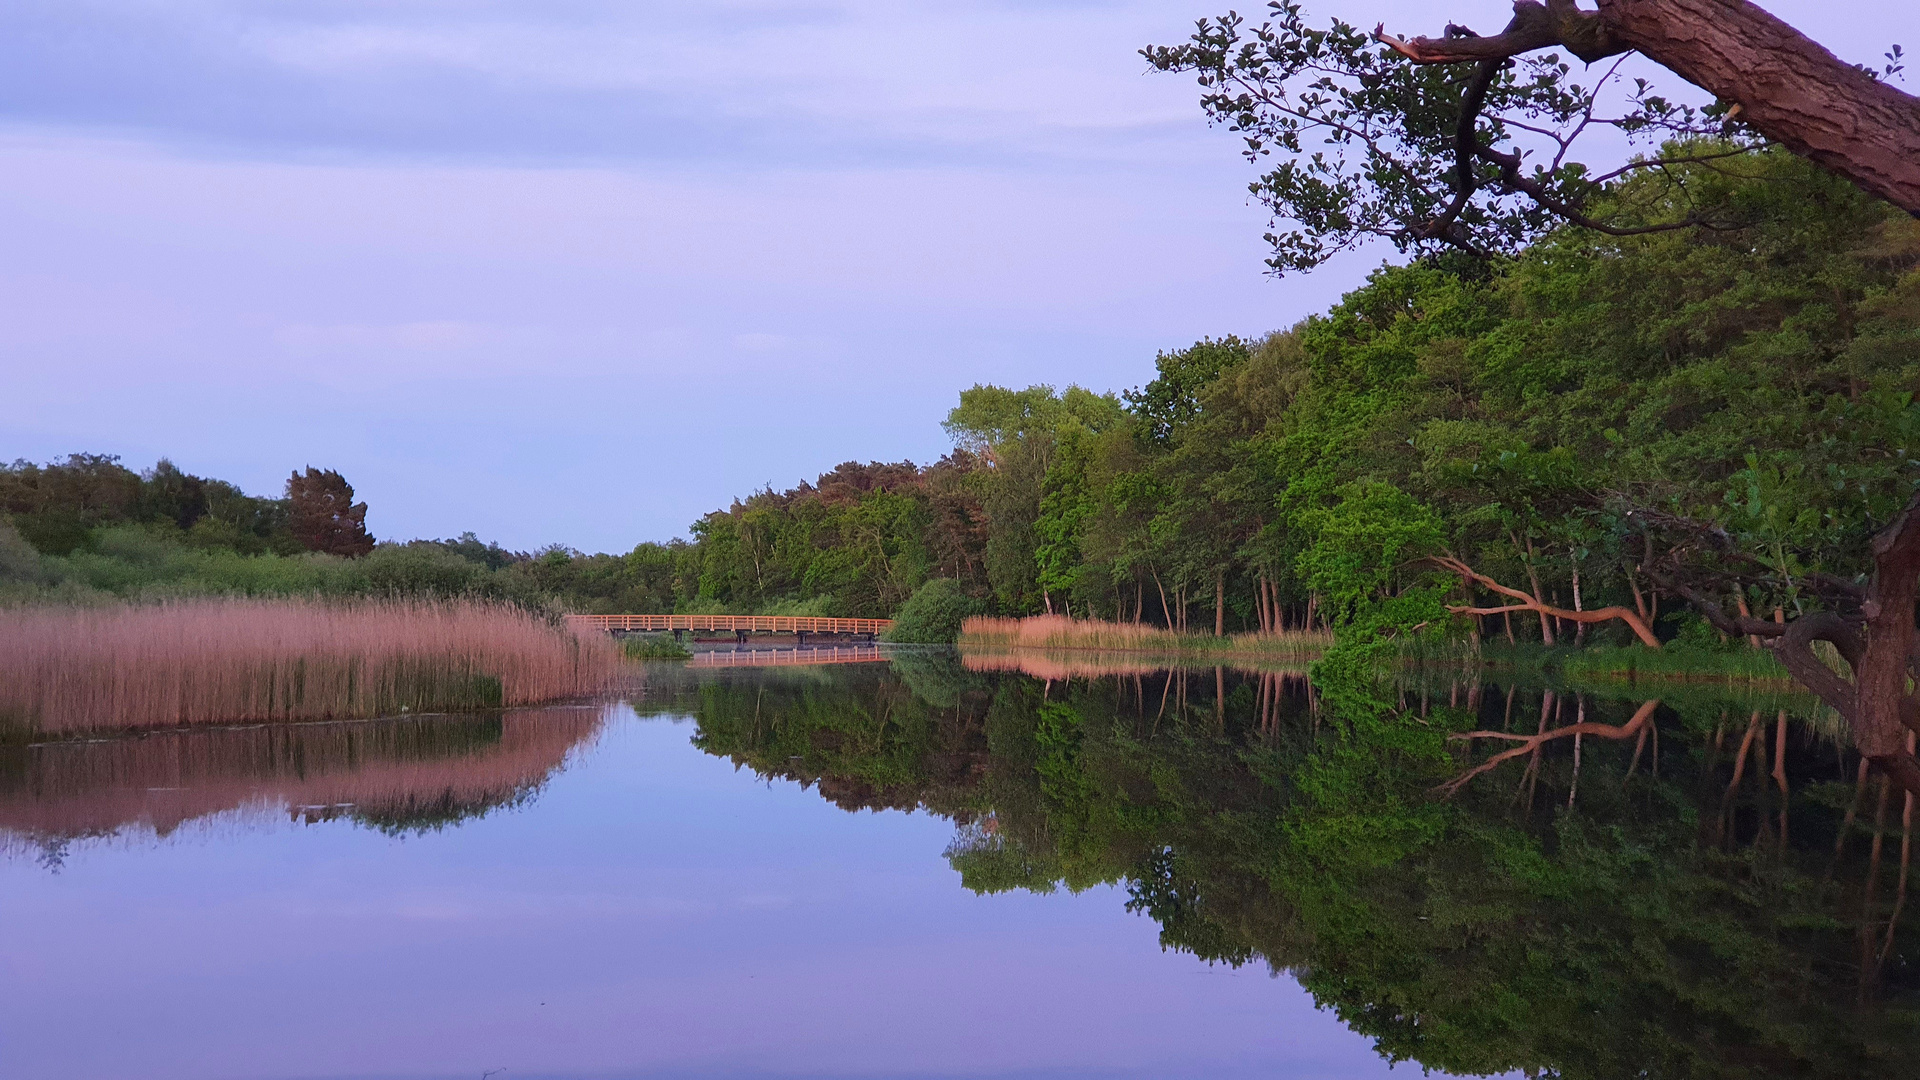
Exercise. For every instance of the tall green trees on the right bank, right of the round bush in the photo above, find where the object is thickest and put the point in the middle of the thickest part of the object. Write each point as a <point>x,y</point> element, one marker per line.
<point>1537,420</point>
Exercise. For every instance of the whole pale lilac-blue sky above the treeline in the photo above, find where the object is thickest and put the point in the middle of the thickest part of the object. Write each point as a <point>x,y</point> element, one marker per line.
<point>577,272</point>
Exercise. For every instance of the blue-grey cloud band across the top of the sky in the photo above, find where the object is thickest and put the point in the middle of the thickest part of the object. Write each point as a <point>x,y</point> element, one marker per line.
<point>761,86</point>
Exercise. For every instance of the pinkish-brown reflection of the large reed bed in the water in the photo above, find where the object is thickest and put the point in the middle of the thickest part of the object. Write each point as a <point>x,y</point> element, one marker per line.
<point>404,775</point>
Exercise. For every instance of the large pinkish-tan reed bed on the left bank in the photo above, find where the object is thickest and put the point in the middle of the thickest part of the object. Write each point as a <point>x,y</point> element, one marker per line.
<point>199,662</point>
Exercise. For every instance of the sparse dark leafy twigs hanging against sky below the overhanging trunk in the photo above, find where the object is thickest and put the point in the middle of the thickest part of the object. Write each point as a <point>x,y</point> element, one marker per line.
<point>1370,145</point>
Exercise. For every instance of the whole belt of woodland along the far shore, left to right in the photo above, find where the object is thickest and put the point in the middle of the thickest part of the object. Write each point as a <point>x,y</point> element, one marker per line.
<point>1566,422</point>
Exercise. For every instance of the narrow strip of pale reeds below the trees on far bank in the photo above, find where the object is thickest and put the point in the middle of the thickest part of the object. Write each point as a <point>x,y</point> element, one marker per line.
<point>1057,633</point>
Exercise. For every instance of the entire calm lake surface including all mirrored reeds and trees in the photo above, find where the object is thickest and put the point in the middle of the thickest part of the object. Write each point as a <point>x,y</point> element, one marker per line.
<point>913,870</point>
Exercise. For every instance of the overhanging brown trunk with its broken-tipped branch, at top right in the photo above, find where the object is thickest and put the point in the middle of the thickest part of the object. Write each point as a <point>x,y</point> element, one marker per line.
<point>1781,82</point>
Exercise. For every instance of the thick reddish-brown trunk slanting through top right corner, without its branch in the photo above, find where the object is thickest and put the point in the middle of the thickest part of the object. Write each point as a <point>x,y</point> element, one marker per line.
<point>1787,86</point>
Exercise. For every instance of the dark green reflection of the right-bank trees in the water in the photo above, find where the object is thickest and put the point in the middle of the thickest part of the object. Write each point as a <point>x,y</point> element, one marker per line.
<point>1691,916</point>
